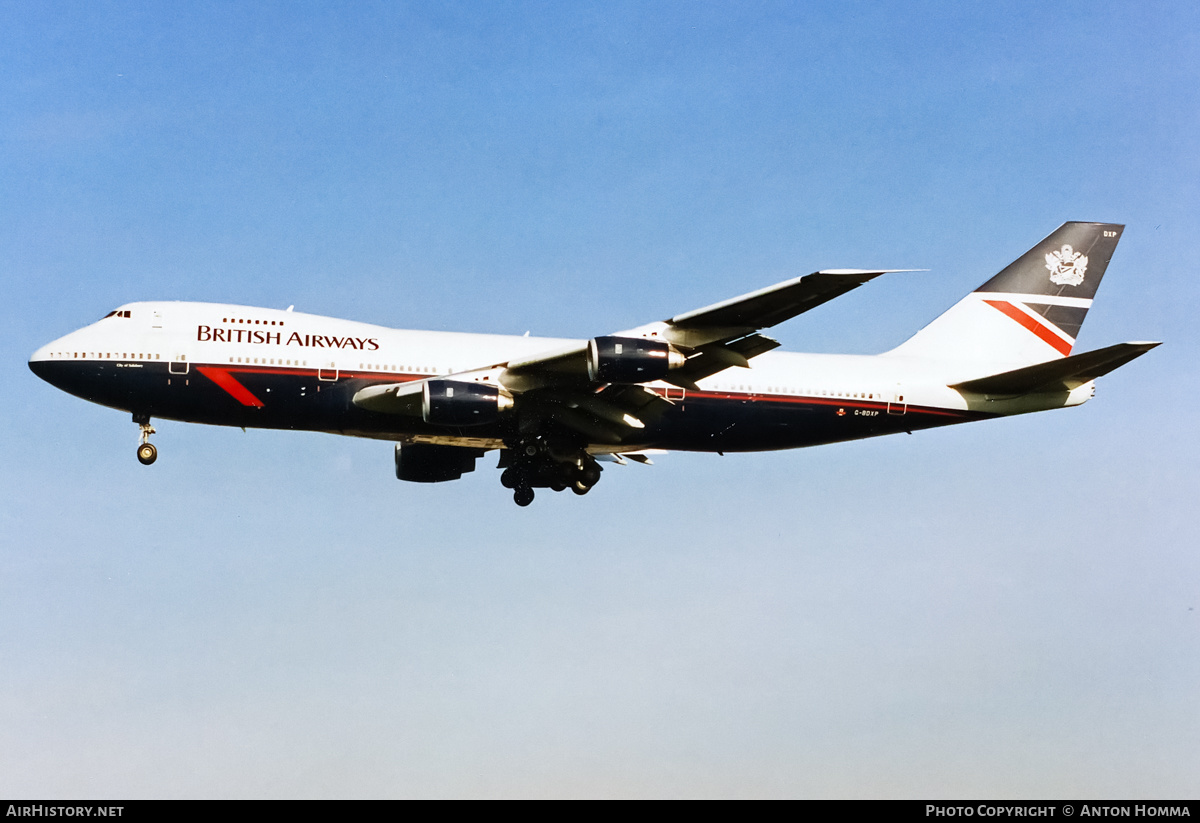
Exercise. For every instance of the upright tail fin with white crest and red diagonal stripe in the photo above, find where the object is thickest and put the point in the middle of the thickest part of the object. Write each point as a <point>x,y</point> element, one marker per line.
<point>1031,311</point>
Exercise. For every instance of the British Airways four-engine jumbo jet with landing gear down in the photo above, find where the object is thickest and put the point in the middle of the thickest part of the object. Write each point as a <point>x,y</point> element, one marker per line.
<point>557,409</point>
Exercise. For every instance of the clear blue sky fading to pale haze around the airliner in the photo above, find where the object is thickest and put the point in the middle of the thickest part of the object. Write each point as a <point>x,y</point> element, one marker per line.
<point>997,610</point>
